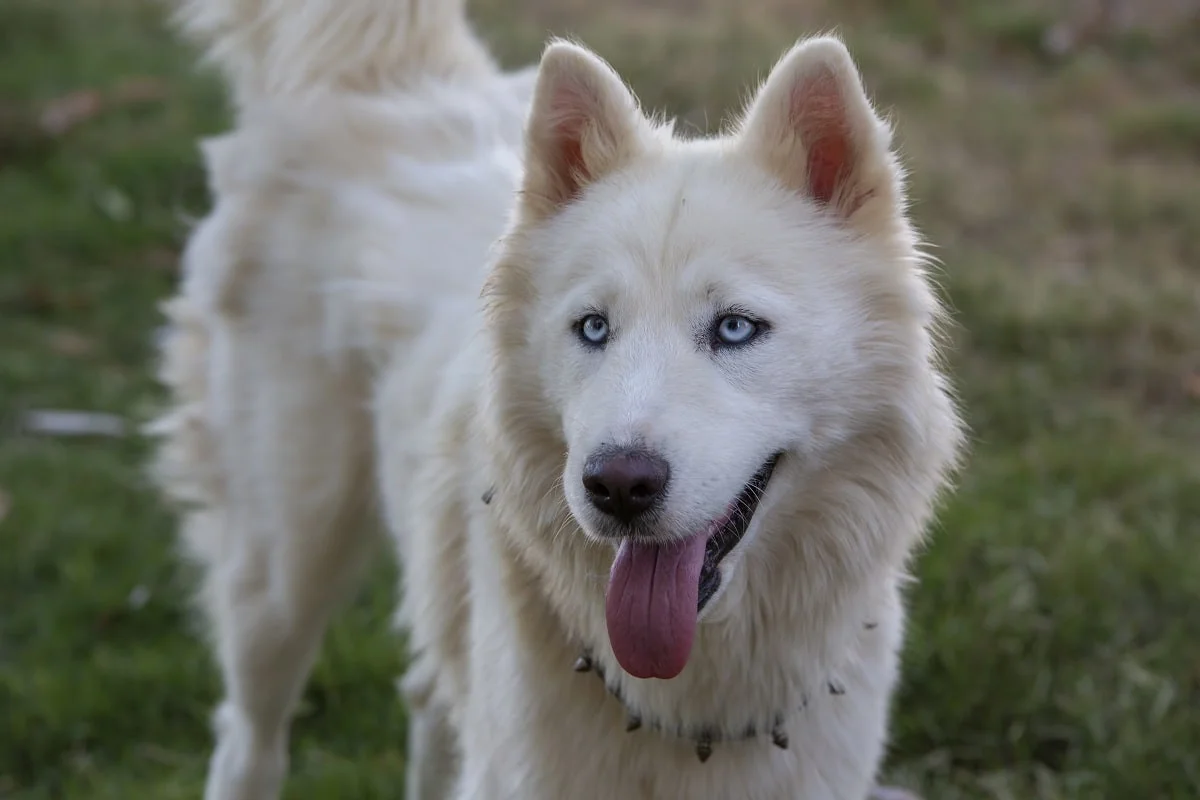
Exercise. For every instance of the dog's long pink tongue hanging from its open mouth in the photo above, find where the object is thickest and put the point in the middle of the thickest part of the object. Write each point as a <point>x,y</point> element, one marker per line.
<point>652,606</point>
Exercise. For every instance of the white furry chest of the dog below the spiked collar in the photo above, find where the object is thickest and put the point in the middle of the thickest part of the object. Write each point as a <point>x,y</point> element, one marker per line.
<point>538,731</point>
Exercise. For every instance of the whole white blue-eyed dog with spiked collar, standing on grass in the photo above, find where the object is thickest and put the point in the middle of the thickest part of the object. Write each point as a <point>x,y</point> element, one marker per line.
<point>685,444</point>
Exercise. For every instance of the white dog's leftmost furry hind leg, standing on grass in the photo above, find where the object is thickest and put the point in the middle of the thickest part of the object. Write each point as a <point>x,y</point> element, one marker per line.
<point>281,548</point>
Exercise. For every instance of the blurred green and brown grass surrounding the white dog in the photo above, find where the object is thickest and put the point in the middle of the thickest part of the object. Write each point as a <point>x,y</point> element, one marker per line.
<point>1055,642</point>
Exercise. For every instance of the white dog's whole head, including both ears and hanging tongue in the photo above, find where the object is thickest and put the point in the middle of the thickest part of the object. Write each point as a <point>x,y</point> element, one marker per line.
<point>709,326</point>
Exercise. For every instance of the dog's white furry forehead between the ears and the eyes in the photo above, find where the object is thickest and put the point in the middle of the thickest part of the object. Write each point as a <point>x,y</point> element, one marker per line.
<point>692,230</point>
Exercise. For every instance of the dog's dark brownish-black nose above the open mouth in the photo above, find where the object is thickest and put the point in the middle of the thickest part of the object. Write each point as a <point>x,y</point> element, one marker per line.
<point>625,483</point>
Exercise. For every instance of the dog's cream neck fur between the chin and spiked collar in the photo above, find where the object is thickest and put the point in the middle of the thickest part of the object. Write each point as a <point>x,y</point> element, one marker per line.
<point>775,667</point>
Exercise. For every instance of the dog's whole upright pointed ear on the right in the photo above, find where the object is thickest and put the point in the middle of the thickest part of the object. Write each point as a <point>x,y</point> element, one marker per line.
<point>813,128</point>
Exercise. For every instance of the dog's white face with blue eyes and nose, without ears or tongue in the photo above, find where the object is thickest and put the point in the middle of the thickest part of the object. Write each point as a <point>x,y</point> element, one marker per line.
<point>693,332</point>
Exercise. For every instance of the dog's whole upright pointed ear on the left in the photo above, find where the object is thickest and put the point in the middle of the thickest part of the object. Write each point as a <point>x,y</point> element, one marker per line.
<point>584,125</point>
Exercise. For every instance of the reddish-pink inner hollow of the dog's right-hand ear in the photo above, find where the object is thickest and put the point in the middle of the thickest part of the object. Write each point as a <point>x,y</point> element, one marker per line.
<point>819,117</point>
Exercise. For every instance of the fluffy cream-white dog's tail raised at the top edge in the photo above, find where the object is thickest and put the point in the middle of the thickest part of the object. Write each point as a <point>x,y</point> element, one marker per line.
<point>273,47</point>
